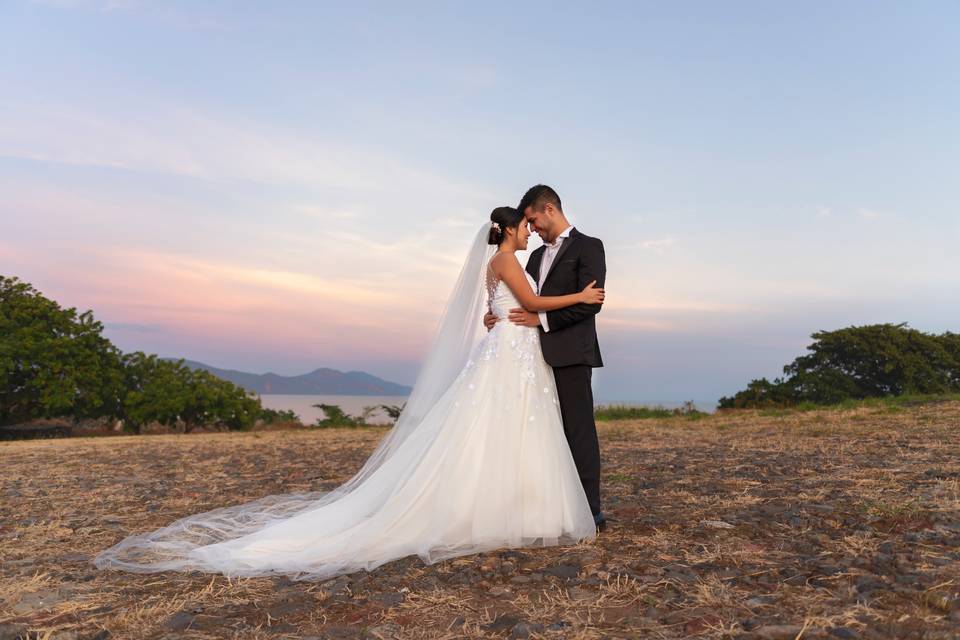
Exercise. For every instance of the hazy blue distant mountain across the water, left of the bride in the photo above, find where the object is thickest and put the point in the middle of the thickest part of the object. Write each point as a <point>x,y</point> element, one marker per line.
<point>328,382</point>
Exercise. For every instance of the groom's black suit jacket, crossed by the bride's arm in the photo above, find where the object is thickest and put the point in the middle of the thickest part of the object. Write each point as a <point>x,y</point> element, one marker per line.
<point>572,338</point>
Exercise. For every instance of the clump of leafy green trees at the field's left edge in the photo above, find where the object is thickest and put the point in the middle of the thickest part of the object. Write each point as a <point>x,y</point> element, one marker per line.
<point>56,362</point>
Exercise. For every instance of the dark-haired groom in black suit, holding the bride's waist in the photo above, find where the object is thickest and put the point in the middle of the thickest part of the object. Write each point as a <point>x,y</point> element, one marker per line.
<point>566,263</point>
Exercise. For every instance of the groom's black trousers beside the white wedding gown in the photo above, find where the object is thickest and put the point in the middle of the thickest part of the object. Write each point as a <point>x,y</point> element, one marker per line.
<point>576,408</point>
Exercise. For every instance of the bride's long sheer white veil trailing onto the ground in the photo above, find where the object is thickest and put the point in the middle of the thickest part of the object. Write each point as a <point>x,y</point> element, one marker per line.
<point>459,331</point>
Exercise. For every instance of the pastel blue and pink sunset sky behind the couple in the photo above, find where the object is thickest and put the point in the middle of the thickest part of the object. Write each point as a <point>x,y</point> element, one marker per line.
<point>293,185</point>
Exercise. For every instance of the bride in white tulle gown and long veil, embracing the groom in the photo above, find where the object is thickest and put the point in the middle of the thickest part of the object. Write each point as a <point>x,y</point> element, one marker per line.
<point>477,460</point>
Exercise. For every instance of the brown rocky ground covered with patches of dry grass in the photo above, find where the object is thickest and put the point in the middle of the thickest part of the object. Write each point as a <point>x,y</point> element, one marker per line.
<point>827,524</point>
